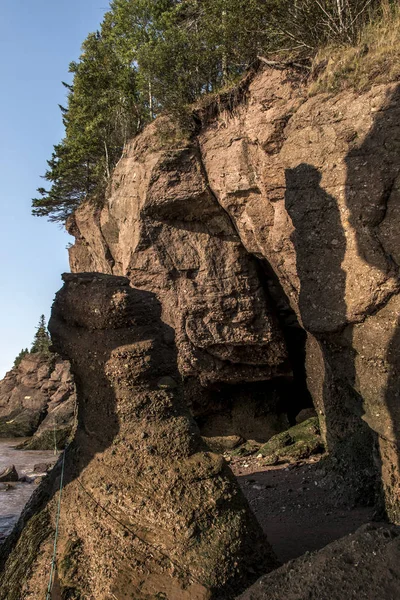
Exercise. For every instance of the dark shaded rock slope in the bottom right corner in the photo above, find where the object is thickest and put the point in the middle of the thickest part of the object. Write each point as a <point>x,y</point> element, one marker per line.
<point>364,565</point>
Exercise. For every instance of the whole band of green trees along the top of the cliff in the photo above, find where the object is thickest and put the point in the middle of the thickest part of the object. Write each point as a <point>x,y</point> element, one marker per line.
<point>152,56</point>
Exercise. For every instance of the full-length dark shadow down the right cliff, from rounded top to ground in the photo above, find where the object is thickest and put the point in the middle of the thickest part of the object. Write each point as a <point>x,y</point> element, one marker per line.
<point>320,245</point>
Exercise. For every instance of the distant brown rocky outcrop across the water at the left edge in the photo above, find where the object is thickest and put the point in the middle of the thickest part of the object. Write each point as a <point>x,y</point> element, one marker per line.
<point>37,398</point>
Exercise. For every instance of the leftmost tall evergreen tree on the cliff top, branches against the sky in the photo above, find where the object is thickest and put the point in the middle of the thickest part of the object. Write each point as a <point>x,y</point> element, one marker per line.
<point>102,114</point>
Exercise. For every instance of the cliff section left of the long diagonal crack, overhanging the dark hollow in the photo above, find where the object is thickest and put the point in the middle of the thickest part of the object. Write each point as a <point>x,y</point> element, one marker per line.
<point>164,229</point>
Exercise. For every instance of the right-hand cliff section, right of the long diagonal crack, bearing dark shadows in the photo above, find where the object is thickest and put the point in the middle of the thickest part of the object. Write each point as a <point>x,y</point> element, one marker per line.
<point>311,185</point>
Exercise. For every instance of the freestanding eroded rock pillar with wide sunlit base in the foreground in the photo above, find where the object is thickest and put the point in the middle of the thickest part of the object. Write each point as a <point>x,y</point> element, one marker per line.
<point>146,508</point>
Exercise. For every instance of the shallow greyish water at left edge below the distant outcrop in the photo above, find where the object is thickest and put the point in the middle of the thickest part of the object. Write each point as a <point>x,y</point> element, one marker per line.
<point>13,500</point>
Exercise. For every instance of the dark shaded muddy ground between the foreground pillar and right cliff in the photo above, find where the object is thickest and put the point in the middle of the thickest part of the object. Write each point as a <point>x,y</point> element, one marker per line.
<point>295,506</point>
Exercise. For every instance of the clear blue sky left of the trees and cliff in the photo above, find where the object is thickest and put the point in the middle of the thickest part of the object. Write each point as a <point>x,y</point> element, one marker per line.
<point>38,39</point>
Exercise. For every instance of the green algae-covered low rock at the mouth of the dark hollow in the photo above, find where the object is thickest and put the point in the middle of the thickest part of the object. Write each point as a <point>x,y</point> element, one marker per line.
<point>298,442</point>
